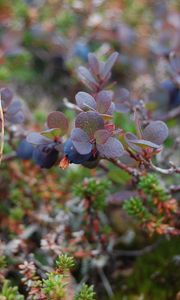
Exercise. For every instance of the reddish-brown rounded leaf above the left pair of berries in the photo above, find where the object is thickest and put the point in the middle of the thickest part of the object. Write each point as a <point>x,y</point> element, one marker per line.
<point>57,119</point>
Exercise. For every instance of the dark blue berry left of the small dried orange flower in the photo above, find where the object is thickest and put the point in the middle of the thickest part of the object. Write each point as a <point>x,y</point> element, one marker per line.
<point>45,156</point>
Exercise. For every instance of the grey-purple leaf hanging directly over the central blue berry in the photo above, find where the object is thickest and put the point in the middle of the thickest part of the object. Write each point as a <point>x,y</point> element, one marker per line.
<point>80,140</point>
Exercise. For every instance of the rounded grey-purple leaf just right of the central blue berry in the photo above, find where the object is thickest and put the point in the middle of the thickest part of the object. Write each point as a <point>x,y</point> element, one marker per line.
<point>111,149</point>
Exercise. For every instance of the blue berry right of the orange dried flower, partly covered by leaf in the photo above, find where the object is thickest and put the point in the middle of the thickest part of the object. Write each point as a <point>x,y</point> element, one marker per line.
<point>72,154</point>
